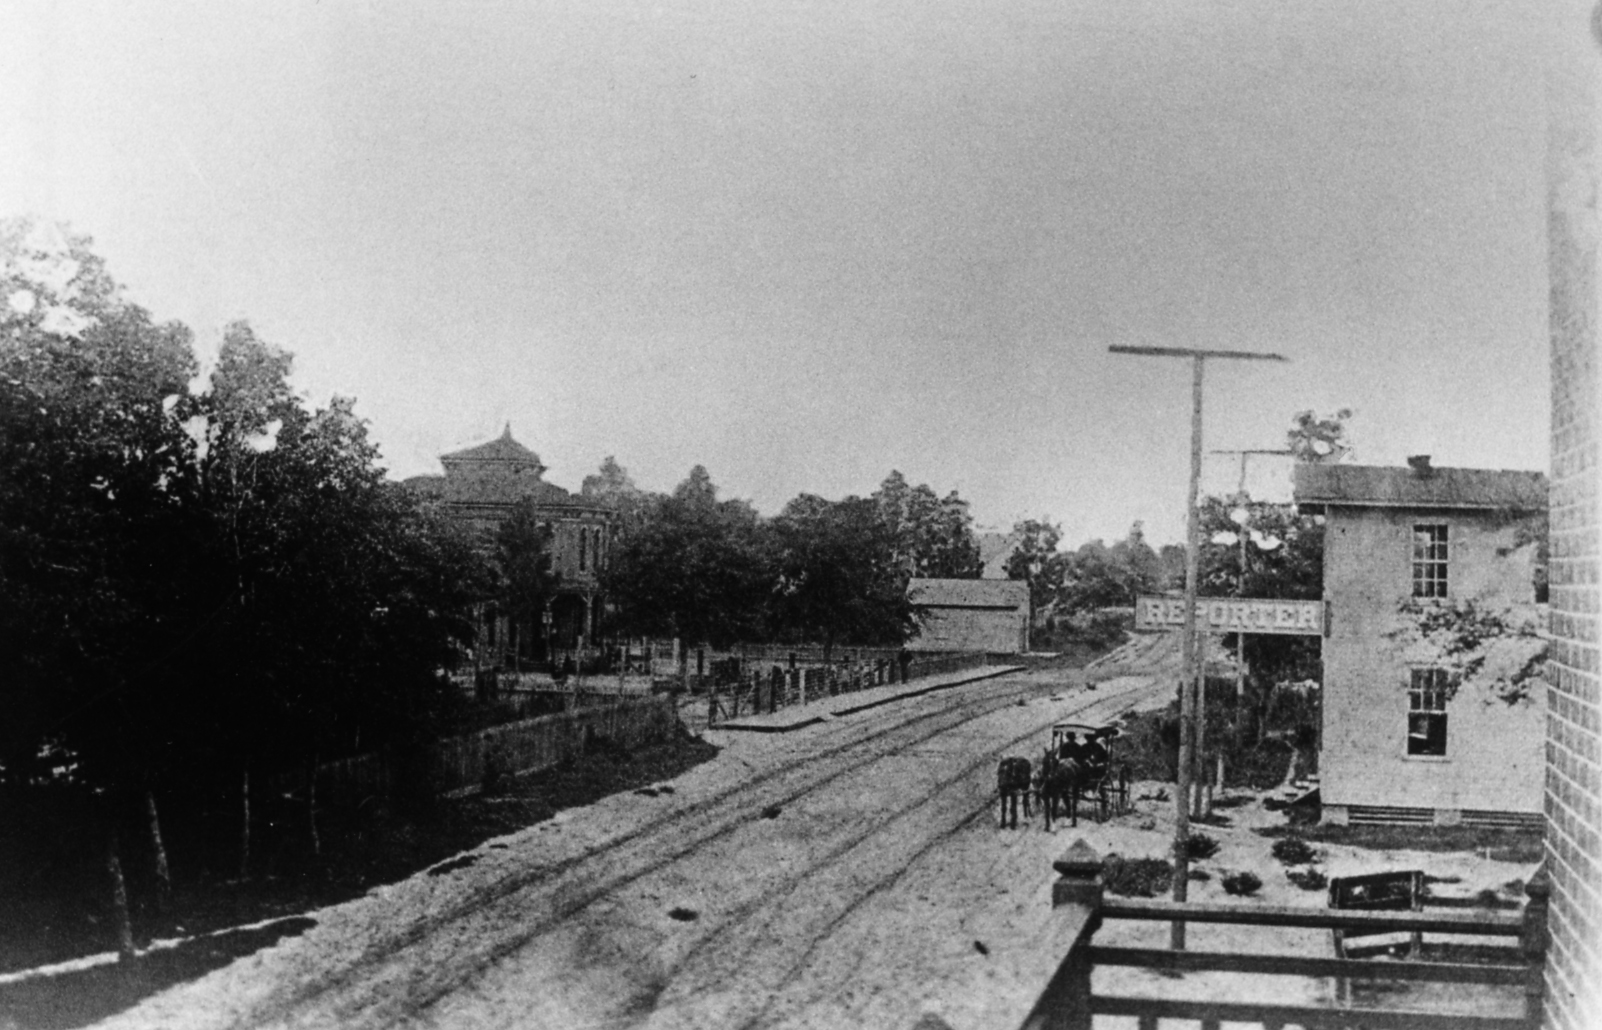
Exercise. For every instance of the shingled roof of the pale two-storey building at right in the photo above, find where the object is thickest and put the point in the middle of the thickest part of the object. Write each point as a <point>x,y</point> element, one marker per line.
<point>1374,486</point>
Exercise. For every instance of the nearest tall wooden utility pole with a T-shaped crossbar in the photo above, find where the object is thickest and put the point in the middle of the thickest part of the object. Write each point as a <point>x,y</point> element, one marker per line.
<point>1191,683</point>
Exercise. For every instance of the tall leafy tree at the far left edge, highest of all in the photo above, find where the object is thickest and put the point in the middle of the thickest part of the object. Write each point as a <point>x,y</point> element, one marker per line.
<point>89,453</point>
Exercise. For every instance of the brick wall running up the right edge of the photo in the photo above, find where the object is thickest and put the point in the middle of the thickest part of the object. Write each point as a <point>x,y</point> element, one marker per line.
<point>1574,766</point>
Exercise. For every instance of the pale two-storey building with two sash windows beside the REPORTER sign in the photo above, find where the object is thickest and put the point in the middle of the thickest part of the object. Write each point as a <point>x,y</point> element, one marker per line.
<point>1433,704</point>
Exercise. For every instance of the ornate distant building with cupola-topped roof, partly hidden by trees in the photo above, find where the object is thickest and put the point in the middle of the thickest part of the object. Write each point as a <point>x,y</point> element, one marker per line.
<point>481,486</point>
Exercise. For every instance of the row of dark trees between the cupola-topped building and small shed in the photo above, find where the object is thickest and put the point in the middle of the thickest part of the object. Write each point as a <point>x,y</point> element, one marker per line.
<point>714,571</point>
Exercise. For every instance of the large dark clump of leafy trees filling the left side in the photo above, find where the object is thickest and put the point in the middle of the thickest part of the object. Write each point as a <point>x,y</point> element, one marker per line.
<point>191,582</point>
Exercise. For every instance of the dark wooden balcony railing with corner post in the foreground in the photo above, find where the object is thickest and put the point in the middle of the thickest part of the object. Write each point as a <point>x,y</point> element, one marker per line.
<point>1069,1002</point>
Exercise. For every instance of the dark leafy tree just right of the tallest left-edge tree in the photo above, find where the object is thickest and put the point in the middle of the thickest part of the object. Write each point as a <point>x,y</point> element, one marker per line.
<point>332,602</point>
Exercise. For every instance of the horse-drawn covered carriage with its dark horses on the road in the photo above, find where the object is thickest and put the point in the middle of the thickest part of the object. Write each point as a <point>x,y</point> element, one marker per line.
<point>1079,766</point>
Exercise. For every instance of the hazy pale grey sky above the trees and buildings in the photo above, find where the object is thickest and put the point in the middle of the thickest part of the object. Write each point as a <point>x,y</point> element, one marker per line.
<point>808,243</point>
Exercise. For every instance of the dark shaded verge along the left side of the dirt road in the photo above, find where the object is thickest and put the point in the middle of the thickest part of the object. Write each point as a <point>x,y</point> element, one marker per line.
<point>212,922</point>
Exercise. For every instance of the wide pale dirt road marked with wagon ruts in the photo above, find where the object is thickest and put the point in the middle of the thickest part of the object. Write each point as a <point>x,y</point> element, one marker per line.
<point>850,874</point>
